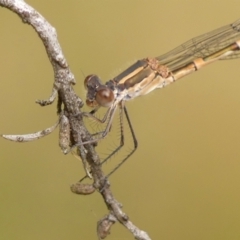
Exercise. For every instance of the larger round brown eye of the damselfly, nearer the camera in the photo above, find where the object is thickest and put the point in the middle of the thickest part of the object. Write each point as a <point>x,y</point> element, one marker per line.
<point>104,97</point>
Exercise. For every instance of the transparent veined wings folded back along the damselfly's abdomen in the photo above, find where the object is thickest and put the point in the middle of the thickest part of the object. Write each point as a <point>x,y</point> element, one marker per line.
<point>203,46</point>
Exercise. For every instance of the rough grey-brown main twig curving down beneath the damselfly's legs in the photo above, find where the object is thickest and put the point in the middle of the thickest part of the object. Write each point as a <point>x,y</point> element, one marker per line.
<point>63,81</point>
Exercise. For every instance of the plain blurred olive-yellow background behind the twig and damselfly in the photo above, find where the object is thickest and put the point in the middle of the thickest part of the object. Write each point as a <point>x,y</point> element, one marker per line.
<point>183,181</point>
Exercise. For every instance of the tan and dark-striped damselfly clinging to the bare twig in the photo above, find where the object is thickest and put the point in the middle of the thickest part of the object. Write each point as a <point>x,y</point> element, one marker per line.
<point>150,73</point>
